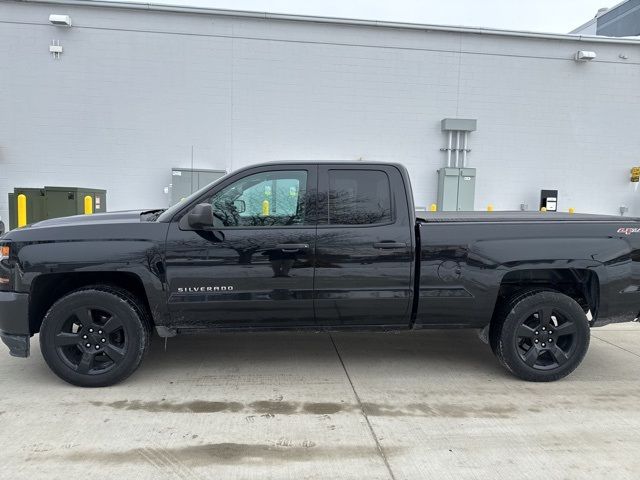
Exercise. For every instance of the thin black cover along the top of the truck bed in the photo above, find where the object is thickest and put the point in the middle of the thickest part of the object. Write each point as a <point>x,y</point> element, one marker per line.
<point>518,216</point>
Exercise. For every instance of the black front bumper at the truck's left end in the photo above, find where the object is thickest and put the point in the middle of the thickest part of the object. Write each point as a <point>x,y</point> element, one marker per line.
<point>14,322</point>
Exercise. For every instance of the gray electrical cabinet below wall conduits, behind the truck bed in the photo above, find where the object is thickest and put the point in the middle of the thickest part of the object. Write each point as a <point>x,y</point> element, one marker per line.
<point>456,189</point>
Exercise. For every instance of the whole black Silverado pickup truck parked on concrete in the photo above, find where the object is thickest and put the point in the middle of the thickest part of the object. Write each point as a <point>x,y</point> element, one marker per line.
<point>316,246</point>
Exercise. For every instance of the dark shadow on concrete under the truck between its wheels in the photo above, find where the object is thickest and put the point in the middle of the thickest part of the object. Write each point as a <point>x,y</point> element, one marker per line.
<point>423,352</point>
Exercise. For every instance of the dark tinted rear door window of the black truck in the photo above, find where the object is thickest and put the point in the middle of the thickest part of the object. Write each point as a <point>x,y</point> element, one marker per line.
<point>358,197</point>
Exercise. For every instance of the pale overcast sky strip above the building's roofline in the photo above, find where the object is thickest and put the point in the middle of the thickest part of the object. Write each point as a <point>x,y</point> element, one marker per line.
<point>555,16</point>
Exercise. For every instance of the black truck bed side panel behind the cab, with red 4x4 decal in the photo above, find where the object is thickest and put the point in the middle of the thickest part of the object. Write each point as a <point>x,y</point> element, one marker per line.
<point>466,258</point>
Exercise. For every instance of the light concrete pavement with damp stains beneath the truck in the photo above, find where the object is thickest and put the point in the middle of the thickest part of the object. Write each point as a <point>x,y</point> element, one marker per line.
<point>414,405</point>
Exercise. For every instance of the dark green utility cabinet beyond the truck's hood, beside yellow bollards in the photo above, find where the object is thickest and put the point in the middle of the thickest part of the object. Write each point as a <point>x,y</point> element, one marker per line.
<point>55,202</point>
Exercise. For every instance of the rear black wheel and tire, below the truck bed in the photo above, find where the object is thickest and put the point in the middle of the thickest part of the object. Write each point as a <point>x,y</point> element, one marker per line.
<point>540,335</point>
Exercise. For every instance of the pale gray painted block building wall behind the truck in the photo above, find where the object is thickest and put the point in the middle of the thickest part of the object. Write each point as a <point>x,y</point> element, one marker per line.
<point>134,91</point>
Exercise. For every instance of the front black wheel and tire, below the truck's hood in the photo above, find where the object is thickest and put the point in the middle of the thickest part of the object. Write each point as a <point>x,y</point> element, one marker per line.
<point>95,336</point>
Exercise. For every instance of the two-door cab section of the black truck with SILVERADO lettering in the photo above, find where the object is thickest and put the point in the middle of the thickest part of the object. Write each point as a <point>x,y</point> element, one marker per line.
<point>315,245</point>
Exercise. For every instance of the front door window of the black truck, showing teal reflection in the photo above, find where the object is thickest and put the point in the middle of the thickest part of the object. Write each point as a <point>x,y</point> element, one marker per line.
<point>274,198</point>
